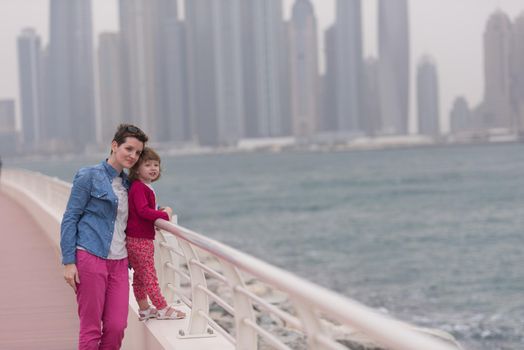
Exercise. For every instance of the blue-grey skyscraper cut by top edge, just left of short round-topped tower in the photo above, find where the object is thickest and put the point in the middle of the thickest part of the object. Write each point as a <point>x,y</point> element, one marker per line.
<point>394,52</point>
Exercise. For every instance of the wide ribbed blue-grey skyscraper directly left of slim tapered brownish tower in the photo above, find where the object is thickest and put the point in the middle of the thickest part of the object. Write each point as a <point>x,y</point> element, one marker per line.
<point>265,67</point>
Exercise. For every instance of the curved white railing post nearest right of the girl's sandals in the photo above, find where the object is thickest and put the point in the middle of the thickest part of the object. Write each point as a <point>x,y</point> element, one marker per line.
<point>199,299</point>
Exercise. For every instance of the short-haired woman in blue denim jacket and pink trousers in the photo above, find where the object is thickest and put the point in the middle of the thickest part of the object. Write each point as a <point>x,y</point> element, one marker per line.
<point>92,240</point>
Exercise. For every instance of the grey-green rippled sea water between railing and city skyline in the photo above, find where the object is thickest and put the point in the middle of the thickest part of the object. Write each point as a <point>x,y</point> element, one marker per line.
<point>433,236</point>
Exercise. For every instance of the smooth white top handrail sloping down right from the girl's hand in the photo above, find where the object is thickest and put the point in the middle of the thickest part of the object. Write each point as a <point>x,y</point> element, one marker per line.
<point>386,331</point>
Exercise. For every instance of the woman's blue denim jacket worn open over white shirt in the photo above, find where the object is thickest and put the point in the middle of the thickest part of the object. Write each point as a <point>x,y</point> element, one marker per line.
<point>90,215</point>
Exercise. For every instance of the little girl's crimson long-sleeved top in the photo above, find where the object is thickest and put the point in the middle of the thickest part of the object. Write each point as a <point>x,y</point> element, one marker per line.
<point>142,211</point>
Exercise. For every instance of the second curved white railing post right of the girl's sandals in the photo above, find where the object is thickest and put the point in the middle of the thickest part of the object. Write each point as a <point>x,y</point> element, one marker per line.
<point>246,336</point>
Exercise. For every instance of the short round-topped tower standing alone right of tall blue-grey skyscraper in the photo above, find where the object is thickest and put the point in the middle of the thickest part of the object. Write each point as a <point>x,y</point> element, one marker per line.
<point>428,97</point>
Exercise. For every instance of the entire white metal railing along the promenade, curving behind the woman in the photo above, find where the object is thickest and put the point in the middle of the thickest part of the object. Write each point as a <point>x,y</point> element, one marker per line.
<point>206,259</point>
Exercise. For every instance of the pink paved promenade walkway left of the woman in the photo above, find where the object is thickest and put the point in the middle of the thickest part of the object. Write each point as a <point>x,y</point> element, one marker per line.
<point>37,308</point>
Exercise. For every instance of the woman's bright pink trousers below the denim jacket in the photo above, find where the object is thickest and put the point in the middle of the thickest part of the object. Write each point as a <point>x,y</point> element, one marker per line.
<point>103,301</point>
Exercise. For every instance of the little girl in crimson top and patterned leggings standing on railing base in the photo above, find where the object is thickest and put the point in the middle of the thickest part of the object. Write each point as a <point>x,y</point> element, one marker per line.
<point>140,235</point>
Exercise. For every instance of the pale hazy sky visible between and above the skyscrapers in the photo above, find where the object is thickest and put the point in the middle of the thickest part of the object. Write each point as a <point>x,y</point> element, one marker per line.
<point>448,30</point>
